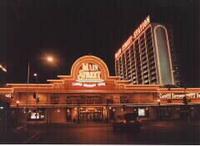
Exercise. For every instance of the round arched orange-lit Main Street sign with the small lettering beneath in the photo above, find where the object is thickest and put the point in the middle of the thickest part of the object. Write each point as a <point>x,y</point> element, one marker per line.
<point>89,72</point>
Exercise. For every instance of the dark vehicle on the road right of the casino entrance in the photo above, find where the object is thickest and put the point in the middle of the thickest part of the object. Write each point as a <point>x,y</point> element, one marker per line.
<point>127,122</point>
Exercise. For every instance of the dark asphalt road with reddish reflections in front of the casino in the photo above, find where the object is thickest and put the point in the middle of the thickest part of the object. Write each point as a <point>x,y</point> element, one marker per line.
<point>160,132</point>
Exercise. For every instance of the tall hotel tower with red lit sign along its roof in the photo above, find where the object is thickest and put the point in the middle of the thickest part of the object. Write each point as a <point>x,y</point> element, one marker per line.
<point>145,58</point>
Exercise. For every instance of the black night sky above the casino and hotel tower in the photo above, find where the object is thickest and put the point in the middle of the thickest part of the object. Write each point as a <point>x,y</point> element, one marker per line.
<point>71,28</point>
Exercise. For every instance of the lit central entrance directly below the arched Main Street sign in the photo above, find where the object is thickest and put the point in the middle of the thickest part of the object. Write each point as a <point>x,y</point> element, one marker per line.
<point>87,108</point>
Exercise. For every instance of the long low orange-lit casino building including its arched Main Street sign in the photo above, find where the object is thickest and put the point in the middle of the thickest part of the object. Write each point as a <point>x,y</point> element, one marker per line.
<point>89,93</point>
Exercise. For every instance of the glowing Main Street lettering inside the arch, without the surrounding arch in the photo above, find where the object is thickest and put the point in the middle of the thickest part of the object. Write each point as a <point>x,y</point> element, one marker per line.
<point>89,75</point>
